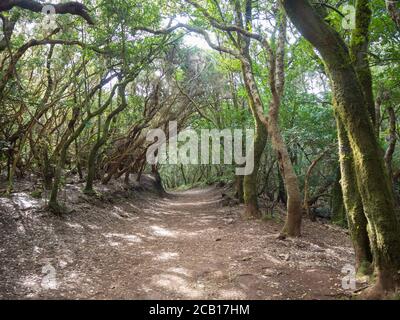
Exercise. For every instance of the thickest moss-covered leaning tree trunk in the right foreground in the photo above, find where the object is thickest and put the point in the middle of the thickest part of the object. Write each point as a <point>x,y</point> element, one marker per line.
<point>352,111</point>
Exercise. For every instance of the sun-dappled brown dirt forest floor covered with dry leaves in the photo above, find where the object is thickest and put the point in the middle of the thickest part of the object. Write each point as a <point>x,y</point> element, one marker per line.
<point>181,245</point>
